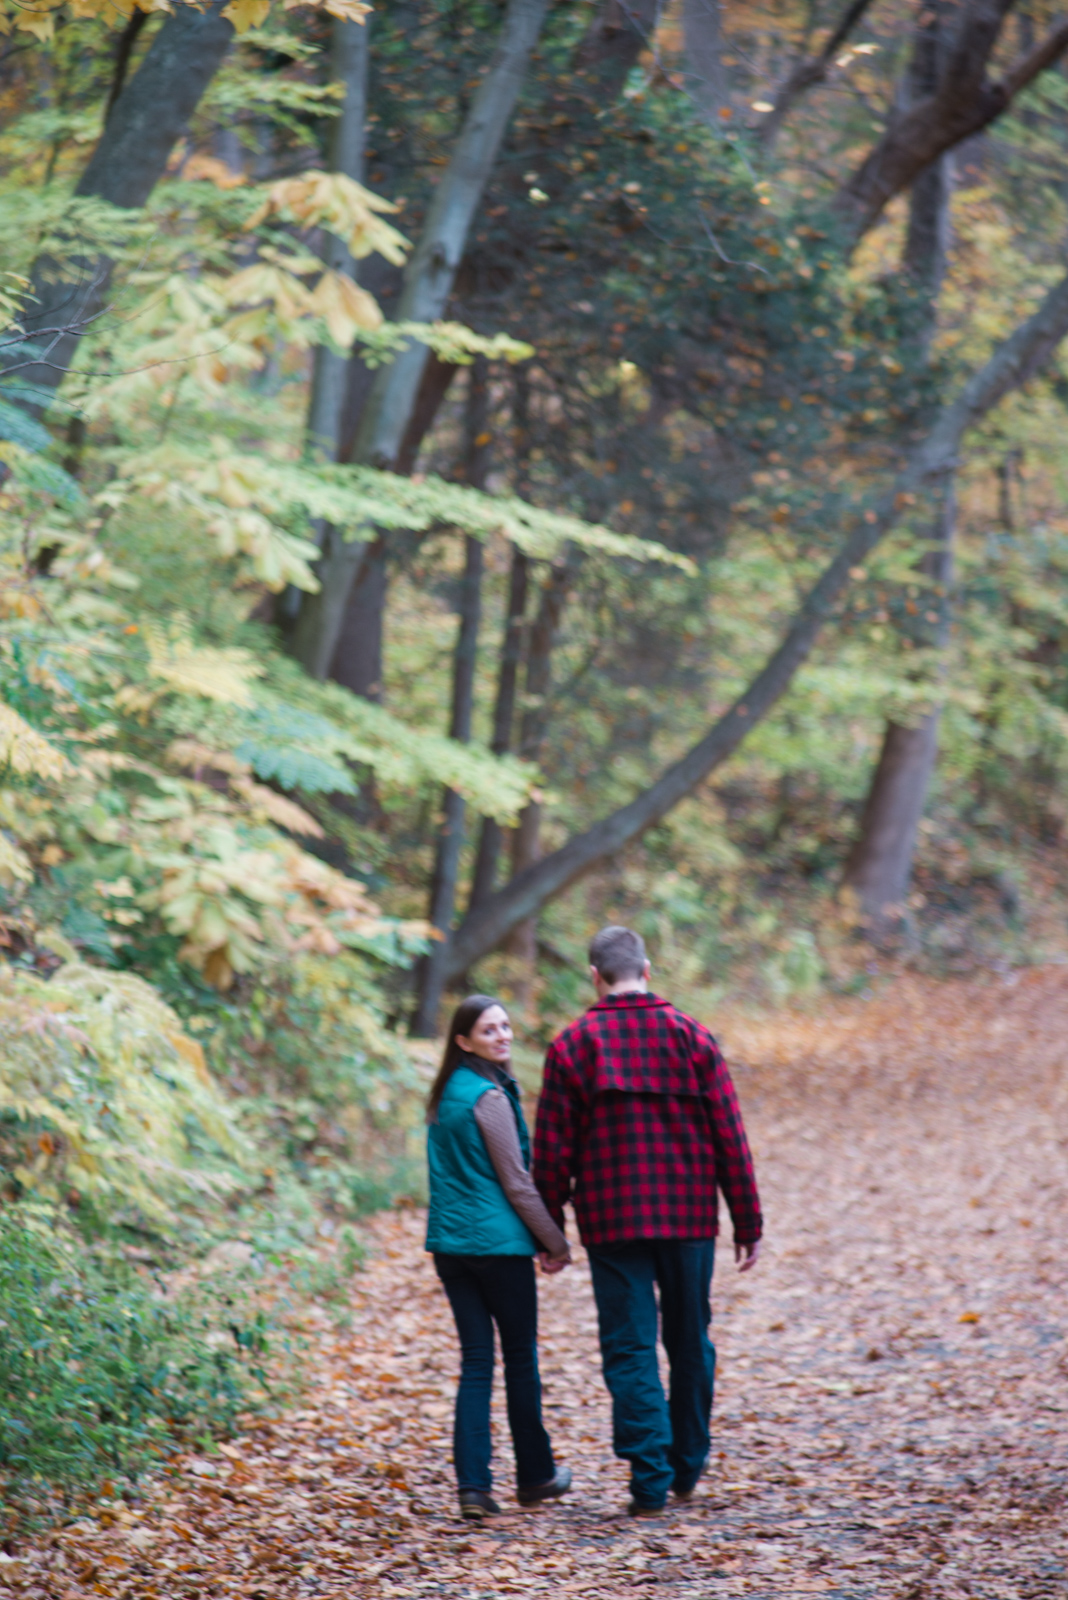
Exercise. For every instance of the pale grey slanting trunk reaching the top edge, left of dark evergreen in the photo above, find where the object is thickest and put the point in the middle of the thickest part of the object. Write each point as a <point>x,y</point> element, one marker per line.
<point>429,282</point>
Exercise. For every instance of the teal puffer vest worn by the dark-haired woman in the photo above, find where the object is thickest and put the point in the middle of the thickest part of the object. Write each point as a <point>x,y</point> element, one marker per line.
<point>471,1214</point>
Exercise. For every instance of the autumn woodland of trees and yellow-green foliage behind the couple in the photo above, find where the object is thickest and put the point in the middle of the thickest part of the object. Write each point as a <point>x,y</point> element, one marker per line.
<point>474,471</point>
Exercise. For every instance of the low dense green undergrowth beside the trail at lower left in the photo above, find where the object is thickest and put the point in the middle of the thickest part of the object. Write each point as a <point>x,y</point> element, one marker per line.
<point>105,1374</point>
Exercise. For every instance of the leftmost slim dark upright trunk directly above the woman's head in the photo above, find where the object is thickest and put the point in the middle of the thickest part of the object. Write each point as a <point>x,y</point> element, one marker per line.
<point>431,970</point>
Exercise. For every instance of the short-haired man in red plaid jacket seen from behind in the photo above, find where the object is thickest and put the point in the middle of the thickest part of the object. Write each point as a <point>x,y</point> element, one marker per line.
<point>639,1126</point>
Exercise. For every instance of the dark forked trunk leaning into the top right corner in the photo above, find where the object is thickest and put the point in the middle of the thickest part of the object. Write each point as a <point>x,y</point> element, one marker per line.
<point>965,103</point>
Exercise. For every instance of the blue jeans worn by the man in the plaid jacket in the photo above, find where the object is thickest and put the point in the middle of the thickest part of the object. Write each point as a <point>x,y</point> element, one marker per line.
<point>664,1441</point>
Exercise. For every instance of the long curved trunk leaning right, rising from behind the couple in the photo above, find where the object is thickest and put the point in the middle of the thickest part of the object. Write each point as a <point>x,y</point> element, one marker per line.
<point>1011,366</point>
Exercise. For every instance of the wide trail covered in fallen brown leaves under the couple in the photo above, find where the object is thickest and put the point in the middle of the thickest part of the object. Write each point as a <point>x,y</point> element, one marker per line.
<point>893,1398</point>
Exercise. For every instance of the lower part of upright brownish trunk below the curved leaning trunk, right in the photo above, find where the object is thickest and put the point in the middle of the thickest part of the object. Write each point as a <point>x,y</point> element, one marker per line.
<point>880,865</point>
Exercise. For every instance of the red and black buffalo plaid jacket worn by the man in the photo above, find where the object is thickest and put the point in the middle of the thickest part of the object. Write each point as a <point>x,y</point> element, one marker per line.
<point>639,1124</point>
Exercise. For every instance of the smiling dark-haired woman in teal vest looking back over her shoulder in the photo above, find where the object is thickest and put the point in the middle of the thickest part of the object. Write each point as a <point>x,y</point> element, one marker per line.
<point>487,1223</point>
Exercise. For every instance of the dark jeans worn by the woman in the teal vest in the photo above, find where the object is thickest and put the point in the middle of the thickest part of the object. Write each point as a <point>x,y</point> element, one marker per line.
<point>485,1290</point>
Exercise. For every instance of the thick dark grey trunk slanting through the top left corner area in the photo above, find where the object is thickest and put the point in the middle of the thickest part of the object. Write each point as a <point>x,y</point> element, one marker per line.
<point>146,122</point>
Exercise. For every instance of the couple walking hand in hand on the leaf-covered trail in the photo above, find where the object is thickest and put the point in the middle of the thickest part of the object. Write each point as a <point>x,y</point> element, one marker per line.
<point>637,1127</point>
